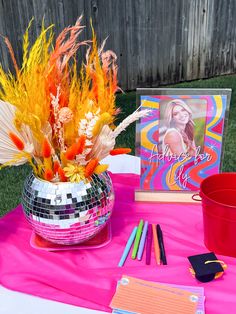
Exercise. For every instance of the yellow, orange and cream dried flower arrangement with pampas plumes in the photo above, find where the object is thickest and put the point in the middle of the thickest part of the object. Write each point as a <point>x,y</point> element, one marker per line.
<point>55,116</point>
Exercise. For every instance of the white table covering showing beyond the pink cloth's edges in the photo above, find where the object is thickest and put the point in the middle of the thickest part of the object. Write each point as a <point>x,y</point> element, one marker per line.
<point>20,303</point>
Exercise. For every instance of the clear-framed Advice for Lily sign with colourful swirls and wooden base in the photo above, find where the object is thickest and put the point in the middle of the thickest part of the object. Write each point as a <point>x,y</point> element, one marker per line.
<point>181,141</point>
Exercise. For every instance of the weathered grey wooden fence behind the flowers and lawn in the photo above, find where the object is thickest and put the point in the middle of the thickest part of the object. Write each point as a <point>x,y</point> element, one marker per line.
<point>157,41</point>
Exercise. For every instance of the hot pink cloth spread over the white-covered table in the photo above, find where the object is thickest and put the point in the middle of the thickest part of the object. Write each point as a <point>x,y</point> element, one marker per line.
<point>88,278</point>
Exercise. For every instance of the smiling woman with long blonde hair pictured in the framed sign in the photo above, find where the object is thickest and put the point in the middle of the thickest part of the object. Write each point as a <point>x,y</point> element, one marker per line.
<point>179,136</point>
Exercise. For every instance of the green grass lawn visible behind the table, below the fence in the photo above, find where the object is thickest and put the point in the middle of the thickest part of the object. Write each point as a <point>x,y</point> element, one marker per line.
<point>11,179</point>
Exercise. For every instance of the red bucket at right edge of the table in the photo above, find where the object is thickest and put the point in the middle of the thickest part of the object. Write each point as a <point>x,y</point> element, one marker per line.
<point>218,194</point>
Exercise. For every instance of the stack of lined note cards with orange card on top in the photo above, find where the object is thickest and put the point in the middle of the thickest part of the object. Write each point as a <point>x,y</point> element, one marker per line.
<point>139,296</point>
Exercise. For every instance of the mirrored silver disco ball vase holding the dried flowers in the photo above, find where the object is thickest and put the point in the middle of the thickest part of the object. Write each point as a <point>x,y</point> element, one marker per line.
<point>68,213</point>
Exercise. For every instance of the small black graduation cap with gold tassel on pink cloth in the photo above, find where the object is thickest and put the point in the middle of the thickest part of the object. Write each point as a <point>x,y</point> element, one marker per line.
<point>205,272</point>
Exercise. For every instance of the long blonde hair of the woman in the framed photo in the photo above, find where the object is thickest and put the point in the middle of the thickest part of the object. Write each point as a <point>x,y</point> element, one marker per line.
<point>188,133</point>
